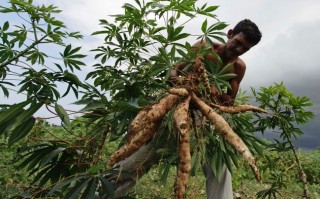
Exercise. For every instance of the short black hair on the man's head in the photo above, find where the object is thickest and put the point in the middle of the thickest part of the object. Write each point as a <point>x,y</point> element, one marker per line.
<point>249,29</point>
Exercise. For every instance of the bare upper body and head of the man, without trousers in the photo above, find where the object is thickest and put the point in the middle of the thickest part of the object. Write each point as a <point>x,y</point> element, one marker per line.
<point>240,39</point>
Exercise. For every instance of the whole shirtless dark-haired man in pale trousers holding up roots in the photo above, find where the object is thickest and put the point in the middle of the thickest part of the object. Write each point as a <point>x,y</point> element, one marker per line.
<point>242,38</point>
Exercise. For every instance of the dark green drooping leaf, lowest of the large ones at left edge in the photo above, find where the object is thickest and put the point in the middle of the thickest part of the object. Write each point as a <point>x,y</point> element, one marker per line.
<point>21,131</point>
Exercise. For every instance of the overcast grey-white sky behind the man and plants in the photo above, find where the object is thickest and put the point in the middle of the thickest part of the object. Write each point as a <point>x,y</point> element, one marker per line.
<point>289,50</point>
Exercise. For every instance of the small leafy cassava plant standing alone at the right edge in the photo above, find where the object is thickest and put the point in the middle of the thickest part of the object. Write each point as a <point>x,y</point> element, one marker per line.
<point>289,111</point>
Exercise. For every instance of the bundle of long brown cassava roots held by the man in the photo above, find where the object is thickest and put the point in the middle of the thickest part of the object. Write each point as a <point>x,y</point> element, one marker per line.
<point>184,92</point>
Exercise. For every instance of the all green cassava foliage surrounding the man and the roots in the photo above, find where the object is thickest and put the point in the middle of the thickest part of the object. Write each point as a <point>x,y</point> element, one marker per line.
<point>133,66</point>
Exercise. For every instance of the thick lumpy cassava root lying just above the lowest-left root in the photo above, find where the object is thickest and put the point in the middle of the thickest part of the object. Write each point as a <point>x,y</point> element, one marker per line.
<point>151,114</point>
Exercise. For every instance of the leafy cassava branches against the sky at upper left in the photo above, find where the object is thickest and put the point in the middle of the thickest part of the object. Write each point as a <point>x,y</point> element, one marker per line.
<point>24,67</point>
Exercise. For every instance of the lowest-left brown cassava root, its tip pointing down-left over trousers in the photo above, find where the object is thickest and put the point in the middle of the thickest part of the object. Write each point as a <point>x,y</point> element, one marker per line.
<point>135,143</point>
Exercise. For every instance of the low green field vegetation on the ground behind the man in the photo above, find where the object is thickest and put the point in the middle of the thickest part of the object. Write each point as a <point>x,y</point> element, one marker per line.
<point>14,180</point>
